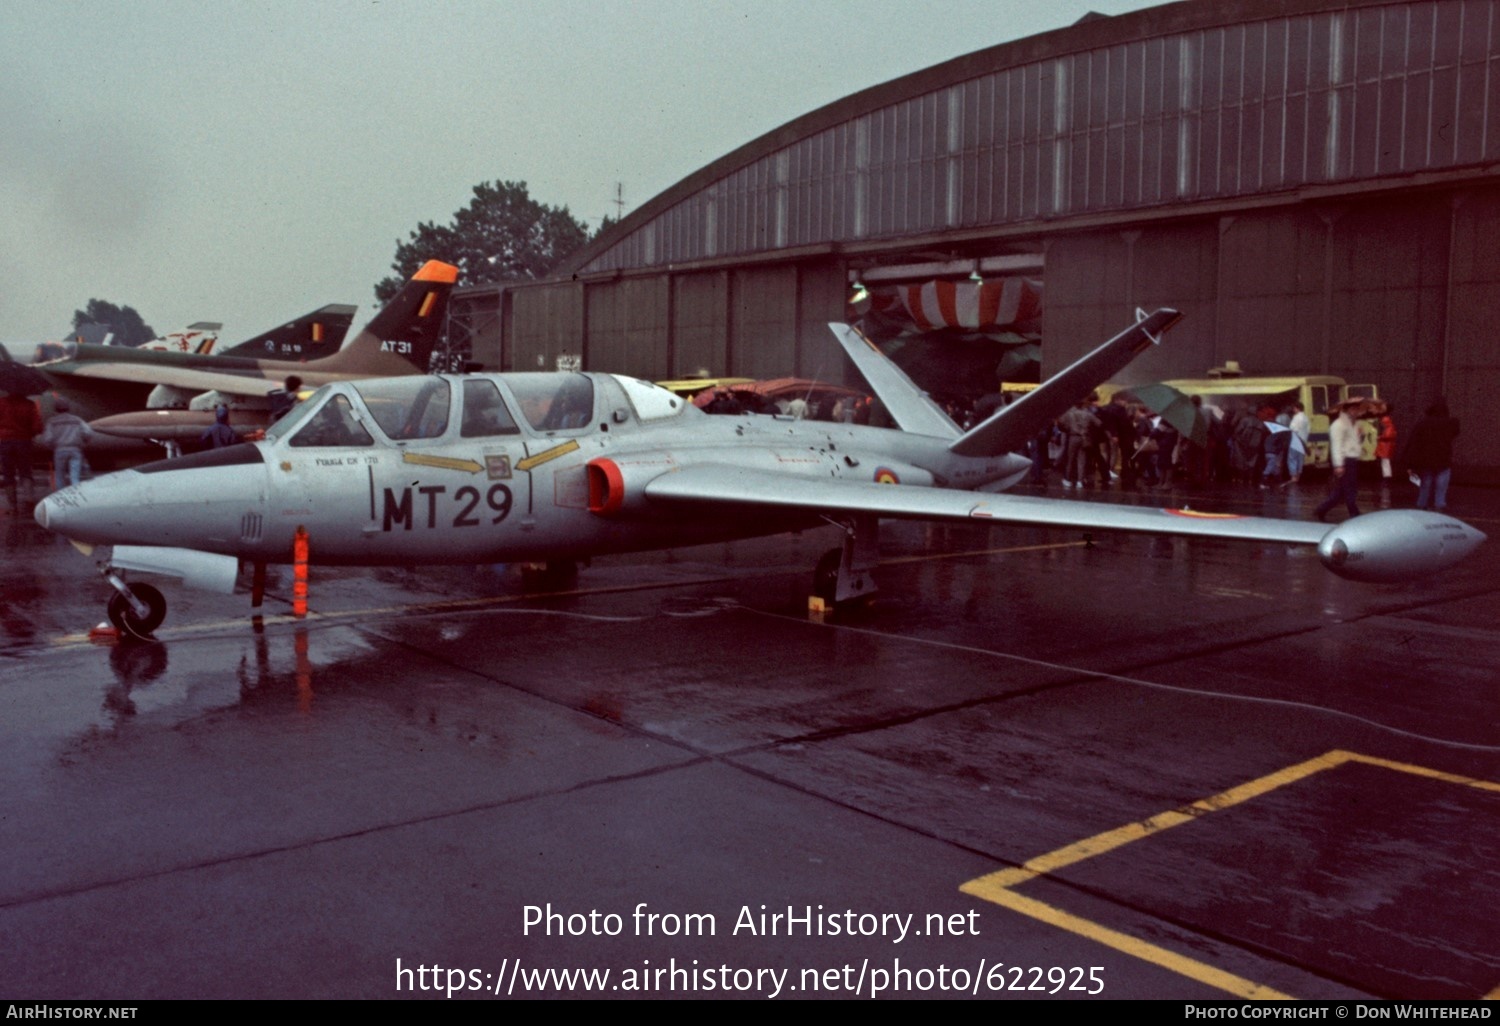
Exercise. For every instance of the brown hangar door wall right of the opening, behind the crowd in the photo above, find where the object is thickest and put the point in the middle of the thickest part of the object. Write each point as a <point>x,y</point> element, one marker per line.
<point>1399,290</point>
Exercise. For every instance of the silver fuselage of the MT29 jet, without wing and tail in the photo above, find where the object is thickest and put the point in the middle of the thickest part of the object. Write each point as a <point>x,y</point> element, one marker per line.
<point>473,494</point>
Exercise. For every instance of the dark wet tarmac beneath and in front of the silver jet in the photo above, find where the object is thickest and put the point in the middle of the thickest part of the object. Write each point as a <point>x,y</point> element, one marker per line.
<point>1034,767</point>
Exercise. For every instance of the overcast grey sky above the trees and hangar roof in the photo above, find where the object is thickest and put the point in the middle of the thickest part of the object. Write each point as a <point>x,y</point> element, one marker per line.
<point>250,163</point>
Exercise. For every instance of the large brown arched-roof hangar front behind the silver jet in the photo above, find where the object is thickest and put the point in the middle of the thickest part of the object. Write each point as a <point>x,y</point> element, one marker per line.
<point>1316,185</point>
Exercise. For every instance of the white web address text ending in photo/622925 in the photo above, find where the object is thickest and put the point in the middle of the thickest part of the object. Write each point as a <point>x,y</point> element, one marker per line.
<point>688,976</point>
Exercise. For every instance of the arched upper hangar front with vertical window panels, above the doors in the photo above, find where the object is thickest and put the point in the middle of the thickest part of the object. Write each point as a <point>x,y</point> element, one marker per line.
<point>1169,107</point>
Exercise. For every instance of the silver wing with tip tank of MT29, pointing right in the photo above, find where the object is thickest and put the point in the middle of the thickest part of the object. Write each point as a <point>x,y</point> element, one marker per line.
<point>1390,545</point>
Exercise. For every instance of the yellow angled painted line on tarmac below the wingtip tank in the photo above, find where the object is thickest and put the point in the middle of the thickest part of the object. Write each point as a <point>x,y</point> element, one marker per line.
<point>1000,887</point>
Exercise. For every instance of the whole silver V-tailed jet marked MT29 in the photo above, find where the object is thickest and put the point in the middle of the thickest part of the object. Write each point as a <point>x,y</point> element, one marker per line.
<point>538,467</point>
